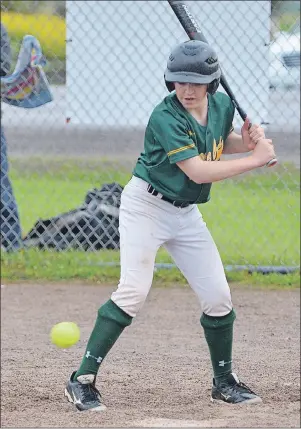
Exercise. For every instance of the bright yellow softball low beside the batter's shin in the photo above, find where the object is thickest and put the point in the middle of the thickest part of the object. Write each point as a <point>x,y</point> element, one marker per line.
<point>65,334</point>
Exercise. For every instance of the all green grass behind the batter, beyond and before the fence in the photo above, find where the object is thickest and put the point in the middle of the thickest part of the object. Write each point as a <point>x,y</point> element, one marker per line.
<point>253,219</point>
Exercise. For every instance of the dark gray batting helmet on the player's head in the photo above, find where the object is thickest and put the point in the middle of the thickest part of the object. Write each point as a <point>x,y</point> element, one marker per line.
<point>193,62</point>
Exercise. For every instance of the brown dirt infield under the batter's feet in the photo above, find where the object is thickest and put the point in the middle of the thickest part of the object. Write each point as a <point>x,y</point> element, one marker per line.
<point>159,373</point>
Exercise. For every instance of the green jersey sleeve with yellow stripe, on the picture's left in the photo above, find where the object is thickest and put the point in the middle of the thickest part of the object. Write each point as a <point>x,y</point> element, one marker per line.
<point>173,136</point>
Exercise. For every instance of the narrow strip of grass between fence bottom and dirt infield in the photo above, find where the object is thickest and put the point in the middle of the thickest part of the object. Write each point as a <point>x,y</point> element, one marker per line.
<point>40,266</point>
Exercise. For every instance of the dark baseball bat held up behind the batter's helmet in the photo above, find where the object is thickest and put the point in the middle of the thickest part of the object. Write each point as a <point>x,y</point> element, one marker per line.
<point>194,32</point>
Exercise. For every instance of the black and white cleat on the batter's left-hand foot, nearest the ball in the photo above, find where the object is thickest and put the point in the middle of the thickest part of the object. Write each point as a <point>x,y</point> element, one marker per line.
<point>83,393</point>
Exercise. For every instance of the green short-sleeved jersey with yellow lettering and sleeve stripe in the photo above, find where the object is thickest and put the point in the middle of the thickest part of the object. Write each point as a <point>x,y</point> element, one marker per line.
<point>173,135</point>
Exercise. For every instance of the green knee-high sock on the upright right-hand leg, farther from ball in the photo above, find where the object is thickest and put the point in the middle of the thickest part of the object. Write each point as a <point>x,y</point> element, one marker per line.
<point>219,337</point>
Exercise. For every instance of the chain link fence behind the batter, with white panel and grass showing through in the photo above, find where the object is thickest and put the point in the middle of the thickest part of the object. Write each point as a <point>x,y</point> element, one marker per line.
<point>105,63</point>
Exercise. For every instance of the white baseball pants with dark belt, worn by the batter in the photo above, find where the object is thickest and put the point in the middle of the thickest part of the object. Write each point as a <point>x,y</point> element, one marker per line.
<point>145,224</point>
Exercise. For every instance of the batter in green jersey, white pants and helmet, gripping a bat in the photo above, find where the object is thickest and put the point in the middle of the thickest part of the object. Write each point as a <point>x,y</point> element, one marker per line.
<point>185,136</point>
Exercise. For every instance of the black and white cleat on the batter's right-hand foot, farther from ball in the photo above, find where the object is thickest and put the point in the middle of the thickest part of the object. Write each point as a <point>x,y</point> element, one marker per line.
<point>233,391</point>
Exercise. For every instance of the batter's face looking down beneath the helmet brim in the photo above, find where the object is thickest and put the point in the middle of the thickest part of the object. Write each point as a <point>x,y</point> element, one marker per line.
<point>191,95</point>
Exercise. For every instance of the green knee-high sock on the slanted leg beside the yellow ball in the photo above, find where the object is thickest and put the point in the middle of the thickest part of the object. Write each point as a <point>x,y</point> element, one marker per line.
<point>110,323</point>
